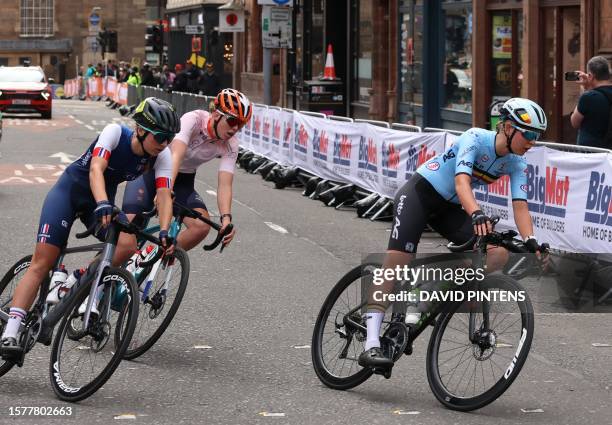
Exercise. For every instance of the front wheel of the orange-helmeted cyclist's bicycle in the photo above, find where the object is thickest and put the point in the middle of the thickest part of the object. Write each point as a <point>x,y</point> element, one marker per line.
<point>161,302</point>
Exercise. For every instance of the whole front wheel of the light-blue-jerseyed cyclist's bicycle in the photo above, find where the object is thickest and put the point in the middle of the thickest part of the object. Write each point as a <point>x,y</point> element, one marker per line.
<point>468,373</point>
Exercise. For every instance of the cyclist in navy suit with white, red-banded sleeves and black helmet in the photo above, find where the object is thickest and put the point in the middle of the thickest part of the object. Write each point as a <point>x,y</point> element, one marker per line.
<point>87,189</point>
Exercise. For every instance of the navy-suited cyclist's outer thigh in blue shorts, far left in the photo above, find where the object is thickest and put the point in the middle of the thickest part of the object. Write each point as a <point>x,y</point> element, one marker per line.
<point>58,212</point>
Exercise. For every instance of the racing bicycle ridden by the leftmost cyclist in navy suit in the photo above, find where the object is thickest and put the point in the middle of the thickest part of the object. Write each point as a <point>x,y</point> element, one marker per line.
<point>82,359</point>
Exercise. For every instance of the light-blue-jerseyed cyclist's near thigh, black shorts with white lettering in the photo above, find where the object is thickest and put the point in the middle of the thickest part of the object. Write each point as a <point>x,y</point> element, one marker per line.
<point>409,217</point>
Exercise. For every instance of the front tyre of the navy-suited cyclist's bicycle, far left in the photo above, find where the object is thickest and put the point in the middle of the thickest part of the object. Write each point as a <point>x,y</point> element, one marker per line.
<point>71,394</point>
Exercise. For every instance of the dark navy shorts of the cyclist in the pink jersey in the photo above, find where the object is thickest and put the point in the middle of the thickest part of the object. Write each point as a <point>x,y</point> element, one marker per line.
<point>139,193</point>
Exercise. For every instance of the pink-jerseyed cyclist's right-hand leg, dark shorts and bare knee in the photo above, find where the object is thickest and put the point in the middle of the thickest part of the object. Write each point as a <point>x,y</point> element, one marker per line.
<point>186,194</point>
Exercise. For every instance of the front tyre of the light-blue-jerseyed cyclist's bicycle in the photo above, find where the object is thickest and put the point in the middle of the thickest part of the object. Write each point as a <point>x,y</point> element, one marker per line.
<point>447,397</point>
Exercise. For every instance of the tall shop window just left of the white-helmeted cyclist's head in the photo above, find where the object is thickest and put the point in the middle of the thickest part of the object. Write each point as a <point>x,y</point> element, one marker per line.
<point>457,77</point>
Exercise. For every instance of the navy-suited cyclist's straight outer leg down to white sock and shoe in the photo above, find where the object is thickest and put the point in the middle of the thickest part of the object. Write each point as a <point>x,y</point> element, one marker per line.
<point>56,220</point>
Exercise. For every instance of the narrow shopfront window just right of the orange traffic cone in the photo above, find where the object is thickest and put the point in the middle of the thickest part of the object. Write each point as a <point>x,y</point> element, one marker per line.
<point>363,61</point>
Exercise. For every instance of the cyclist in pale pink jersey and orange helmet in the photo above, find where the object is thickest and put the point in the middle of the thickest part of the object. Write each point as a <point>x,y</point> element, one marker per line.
<point>203,137</point>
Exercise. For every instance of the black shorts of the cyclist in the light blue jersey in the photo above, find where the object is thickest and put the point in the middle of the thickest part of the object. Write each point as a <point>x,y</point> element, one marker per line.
<point>416,204</point>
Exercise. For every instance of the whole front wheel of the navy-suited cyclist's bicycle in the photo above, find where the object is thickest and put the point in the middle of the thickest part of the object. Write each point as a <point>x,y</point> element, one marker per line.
<point>84,360</point>
